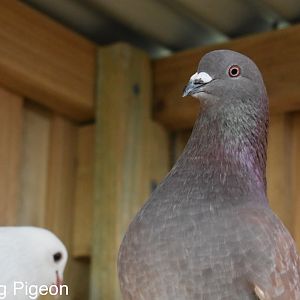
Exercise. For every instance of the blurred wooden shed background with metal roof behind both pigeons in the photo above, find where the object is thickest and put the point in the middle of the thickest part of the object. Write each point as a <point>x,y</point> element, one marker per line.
<point>92,117</point>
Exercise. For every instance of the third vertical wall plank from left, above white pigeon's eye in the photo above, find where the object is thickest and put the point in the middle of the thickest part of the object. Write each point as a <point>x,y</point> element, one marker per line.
<point>61,179</point>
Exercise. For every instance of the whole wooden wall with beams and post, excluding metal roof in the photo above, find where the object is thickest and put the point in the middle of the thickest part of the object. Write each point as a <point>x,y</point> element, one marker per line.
<point>82,164</point>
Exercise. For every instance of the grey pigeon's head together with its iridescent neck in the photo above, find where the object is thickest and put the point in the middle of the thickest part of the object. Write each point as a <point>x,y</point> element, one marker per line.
<point>233,122</point>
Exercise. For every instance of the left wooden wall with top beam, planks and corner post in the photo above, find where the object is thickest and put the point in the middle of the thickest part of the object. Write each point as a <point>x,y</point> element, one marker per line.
<point>48,138</point>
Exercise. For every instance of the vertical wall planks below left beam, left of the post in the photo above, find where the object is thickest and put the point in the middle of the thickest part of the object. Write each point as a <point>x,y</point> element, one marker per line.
<point>38,157</point>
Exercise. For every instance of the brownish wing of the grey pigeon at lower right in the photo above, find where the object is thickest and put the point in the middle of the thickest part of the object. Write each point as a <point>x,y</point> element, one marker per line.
<point>275,271</point>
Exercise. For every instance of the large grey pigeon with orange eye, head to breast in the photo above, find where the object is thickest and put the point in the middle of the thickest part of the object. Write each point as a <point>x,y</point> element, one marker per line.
<point>207,232</point>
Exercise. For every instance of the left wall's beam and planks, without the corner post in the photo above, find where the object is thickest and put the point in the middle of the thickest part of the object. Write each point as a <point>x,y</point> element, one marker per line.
<point>45,95</point>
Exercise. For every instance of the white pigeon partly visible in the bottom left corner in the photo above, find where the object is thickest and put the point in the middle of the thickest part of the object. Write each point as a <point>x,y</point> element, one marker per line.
<point>30,258</point>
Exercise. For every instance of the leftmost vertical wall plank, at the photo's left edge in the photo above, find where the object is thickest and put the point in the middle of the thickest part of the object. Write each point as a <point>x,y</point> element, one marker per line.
<point>10,142</point>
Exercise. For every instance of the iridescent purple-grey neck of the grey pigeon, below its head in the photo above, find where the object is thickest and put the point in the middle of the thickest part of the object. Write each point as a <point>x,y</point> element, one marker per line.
<point>228,150</point>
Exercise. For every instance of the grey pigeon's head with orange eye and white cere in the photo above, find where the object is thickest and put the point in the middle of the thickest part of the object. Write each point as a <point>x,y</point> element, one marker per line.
<point>227,78</point>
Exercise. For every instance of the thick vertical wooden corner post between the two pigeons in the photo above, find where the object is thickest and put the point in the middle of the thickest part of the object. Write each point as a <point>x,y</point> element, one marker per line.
<point>131,157</point>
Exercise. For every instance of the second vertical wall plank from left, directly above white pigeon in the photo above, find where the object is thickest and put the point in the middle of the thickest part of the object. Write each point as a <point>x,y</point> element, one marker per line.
<point>34,166</point>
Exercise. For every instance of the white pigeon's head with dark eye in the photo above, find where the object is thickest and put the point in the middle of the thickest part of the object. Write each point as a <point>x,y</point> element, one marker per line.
<point>33,255</point>
